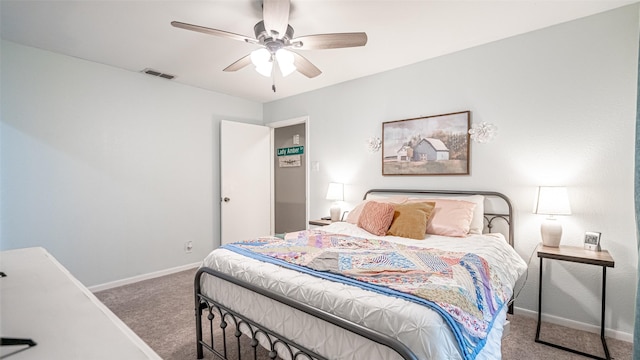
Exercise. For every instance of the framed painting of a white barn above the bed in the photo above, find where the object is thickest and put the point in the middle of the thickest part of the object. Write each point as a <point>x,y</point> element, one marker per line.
<point>430,145</point>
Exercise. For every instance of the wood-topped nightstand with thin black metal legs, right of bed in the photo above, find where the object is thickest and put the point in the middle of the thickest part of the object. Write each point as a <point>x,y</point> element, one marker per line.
<point>577,255</point>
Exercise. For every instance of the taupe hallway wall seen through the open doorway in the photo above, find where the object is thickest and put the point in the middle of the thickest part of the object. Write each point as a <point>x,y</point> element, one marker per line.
<point>289,186</point>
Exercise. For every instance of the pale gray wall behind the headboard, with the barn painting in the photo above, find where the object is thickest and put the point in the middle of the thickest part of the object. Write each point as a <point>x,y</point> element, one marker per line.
<point>563,99</point>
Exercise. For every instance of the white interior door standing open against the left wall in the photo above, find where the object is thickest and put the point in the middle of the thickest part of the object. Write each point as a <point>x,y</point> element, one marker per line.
<point>245,181</point>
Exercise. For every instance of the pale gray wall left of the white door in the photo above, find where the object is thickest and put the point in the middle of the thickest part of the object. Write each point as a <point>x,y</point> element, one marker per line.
<point>111,171</point>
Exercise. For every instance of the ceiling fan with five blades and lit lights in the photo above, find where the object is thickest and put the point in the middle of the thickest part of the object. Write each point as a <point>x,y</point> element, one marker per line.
<point>275,36</point>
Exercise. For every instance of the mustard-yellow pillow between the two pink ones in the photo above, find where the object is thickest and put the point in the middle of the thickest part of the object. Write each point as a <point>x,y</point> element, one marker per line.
<point>410,220</point>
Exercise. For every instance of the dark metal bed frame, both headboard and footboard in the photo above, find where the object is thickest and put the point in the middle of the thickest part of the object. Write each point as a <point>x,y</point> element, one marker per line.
<point>275,342</point>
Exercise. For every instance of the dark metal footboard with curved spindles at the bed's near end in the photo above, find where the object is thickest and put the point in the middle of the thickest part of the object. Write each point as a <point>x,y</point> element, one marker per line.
<point>276,342</point>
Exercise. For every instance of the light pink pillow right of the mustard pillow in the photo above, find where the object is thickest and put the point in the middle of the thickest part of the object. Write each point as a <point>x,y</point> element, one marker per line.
<point>451,218</point>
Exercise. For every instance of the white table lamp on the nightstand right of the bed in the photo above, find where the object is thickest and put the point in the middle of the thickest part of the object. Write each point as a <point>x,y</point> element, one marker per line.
<point>552,200</point>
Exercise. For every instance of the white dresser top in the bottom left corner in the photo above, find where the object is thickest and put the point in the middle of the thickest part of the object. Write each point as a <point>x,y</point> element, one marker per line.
<point>42,301</point>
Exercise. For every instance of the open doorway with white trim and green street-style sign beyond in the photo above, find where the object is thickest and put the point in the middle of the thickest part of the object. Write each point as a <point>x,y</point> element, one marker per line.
<point>290,173</point>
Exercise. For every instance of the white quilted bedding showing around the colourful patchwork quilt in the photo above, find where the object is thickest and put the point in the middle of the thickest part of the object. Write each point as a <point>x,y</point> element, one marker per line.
<point>420,328</point>
